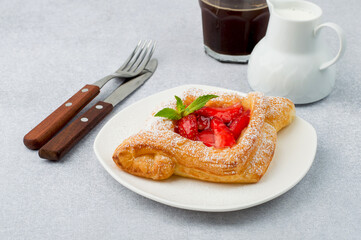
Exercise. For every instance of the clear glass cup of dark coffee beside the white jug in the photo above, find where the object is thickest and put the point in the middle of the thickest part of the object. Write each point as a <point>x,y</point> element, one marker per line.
<point>231,28</point>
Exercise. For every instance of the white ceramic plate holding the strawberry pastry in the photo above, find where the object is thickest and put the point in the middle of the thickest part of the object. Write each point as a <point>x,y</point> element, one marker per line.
<point>296,148</point>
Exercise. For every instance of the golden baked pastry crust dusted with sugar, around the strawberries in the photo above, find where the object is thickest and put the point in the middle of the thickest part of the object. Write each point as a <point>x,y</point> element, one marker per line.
<point>158,152</point>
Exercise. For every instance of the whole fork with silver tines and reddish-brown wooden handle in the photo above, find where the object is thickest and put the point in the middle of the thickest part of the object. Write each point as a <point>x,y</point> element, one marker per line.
<point>132,67</point>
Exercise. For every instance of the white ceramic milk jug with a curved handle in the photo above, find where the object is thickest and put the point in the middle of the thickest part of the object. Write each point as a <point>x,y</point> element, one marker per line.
<point>291,60</point>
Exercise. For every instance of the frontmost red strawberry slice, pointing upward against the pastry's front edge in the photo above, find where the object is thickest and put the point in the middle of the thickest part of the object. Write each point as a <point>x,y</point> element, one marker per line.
<point>223,137</point>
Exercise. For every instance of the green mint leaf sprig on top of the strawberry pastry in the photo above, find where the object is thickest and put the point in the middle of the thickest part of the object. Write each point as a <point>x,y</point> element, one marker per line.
<point>183,110</point>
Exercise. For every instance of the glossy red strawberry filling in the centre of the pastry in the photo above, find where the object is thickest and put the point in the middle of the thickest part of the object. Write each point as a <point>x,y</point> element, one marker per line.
<point>217,127</point>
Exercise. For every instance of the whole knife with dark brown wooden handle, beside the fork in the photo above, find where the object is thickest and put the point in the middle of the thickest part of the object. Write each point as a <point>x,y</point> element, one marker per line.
<point>62,143</point>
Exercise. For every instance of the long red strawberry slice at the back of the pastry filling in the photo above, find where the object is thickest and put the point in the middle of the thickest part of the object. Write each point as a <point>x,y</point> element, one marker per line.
<point>225,114</point>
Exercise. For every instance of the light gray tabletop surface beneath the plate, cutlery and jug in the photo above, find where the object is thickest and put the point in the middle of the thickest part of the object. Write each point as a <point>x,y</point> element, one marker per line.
<point>50,49</point>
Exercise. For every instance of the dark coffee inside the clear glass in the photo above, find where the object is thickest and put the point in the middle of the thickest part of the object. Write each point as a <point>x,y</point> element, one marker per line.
<point>233,32</point>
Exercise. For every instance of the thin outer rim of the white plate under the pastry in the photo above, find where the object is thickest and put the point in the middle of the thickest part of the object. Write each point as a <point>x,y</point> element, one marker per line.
<point>197,207</point>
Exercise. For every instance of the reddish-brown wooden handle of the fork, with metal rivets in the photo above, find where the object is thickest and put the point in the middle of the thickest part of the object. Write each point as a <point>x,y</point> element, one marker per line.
<point>45,130</point>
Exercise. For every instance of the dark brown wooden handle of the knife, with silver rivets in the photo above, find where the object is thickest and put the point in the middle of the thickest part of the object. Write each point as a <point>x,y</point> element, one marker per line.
<point>57,147</point>
